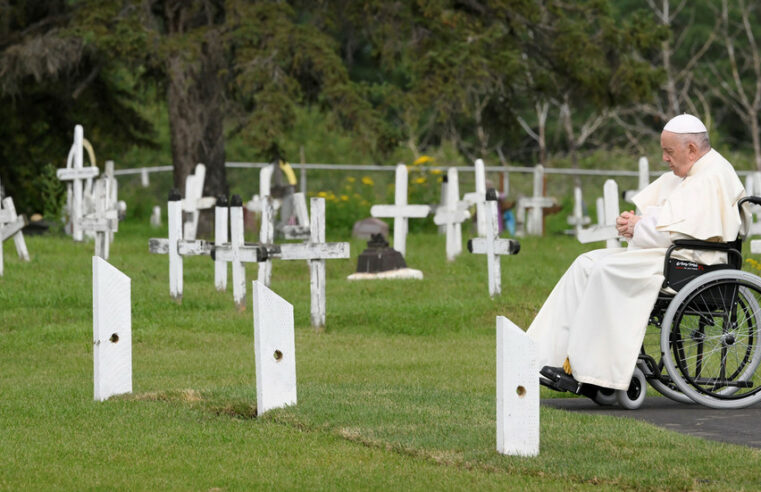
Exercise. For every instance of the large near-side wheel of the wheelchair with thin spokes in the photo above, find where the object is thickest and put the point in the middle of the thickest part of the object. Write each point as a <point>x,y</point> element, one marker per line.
<point>710,339</point>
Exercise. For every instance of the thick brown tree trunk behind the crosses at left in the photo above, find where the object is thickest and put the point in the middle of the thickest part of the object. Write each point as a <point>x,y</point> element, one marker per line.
<point>196,121</point>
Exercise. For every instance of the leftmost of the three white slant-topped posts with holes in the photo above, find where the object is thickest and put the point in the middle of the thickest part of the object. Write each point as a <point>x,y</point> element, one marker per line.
<point>112,330</point>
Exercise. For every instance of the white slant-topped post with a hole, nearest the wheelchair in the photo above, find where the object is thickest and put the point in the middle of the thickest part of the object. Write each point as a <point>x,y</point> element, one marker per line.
<point>517,391</point>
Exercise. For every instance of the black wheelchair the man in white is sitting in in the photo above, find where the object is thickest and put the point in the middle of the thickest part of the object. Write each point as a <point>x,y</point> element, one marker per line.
<point>703,340</point>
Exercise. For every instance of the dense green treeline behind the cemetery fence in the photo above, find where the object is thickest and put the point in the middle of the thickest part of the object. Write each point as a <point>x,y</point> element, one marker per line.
<point>517,80</point>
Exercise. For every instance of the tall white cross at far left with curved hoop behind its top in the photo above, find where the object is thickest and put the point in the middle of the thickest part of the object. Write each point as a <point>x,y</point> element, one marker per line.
<point>78,177</point>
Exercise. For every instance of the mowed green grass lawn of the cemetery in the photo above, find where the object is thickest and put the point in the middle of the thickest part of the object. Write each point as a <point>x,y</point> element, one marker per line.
<point>398,391</point>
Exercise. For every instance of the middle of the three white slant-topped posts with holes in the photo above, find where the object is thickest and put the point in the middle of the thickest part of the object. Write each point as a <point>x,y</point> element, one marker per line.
<point>274,350</point>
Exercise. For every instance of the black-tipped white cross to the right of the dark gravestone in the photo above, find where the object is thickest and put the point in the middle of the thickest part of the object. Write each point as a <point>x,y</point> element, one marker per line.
<point>492,246</point>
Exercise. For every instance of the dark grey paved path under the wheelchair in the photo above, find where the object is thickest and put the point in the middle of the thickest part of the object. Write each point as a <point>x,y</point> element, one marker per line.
<point>733,426</point>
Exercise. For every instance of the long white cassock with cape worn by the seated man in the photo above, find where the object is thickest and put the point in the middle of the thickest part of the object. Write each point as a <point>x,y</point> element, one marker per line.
<point>598,312</point>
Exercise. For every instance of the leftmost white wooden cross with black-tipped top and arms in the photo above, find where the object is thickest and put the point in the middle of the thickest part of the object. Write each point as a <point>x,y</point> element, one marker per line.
<point>175,246</point>
